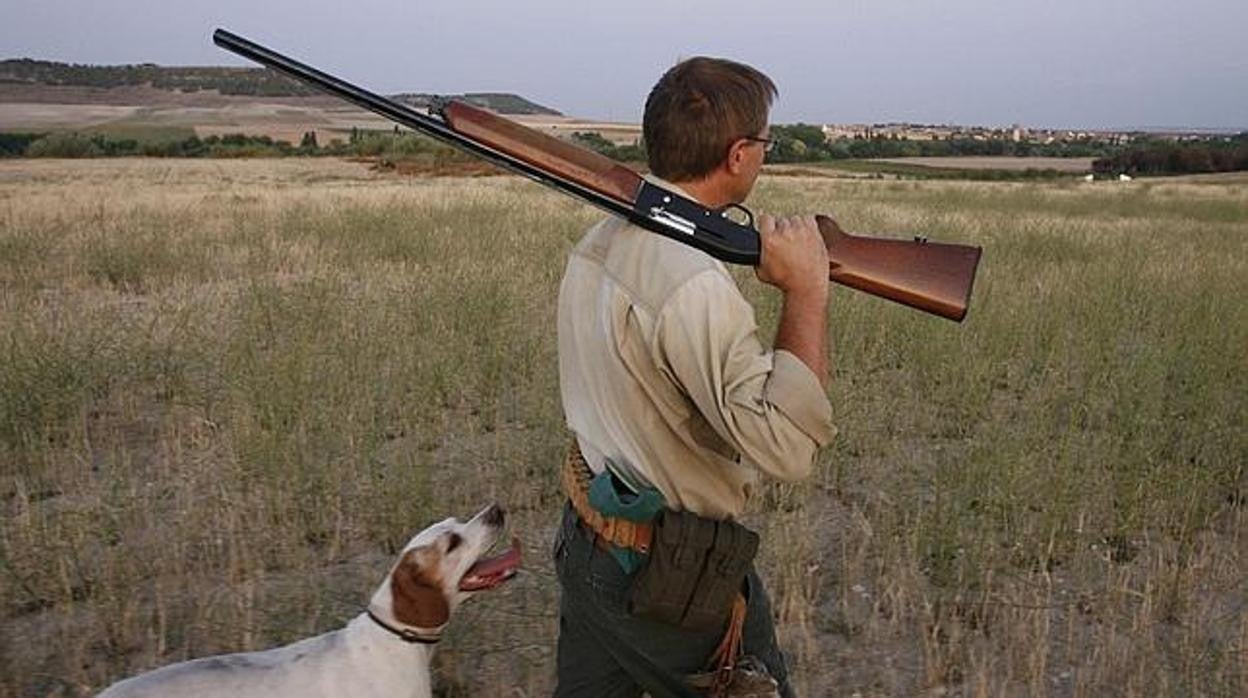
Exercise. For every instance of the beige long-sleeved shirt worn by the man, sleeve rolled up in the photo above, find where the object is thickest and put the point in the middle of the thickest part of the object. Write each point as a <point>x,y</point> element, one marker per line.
<point>662,373</point>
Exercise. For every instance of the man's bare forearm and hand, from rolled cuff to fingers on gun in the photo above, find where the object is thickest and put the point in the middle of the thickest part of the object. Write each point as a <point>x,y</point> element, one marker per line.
<point>796,262</point>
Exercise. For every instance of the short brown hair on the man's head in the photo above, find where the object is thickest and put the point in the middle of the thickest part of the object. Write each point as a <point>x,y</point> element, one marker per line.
<point>697,111</point>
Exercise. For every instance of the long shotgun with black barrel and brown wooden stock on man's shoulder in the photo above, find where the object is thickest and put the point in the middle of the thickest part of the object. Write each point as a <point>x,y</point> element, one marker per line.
<point>929,277</point>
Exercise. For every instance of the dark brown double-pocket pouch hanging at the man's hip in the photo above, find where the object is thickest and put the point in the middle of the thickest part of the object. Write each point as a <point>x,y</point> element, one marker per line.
<point>696,569</point>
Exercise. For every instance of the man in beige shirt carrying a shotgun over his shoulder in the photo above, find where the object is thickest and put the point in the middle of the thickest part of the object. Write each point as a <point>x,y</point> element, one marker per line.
<point>668,389</point>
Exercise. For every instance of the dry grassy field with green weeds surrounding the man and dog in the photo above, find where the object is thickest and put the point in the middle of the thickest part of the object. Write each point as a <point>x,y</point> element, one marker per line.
<point>232,389</point>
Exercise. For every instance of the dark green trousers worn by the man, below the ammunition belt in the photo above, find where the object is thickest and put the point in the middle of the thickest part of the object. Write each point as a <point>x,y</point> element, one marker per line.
<point>606,652</point>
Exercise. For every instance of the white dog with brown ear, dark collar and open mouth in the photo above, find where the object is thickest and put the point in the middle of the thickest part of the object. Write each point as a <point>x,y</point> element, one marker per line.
<point>385,651</point>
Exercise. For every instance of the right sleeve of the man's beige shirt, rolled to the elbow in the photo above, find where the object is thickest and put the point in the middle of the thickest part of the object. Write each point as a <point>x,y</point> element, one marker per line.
<point>767,405</point>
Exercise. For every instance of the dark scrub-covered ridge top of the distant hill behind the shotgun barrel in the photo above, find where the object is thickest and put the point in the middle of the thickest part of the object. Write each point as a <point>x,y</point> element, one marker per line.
<point>241,82</point>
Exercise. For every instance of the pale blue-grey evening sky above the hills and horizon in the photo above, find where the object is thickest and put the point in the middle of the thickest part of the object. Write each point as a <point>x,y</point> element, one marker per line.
<point>1066,64</point>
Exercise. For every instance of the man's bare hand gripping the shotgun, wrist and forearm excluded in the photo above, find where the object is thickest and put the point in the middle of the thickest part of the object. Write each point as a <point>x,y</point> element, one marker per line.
<point>794,257</point>
